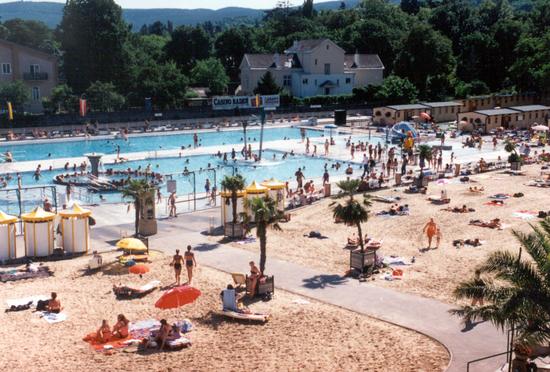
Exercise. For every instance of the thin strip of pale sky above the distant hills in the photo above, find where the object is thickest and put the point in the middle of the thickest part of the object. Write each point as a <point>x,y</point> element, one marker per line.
<point>192,4</point>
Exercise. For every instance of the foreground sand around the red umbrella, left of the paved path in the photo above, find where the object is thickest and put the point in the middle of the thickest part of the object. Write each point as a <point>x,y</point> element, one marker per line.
<point>308,337</point>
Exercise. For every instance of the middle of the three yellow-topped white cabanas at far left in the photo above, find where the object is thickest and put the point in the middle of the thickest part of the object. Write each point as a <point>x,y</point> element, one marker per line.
<point>38,231</point>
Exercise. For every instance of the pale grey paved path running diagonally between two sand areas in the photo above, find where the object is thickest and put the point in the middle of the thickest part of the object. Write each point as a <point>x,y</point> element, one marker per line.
<point>424,315</point>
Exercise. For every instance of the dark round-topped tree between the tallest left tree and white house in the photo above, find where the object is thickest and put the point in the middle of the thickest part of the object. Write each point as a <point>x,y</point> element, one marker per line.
<point>188,45</point>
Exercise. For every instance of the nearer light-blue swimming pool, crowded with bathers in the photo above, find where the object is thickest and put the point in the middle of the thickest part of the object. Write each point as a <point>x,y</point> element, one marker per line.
<point>205,167</point>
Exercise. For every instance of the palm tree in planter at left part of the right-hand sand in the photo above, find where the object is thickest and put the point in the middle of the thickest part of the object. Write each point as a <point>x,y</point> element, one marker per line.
<point>352,212</point>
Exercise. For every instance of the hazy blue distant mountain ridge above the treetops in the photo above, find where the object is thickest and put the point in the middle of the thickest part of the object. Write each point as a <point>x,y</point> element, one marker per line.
<point>51,13</point>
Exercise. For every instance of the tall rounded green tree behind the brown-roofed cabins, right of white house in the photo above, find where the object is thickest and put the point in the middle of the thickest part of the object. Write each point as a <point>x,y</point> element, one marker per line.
<point>425,55</point>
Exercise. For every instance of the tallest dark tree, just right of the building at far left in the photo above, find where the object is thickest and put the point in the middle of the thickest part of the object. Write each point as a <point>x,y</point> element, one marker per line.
<point>93,35</point>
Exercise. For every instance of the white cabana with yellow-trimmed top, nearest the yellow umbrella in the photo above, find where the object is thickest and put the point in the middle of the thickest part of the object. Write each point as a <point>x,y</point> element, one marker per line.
<point>75,229</point>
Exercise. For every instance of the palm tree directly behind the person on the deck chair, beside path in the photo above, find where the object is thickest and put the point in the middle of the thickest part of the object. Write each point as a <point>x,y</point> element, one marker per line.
<point>265,215</point>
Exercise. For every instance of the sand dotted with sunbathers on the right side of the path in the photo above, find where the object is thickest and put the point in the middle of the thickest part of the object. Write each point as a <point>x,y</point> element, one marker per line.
<point>435,273</point>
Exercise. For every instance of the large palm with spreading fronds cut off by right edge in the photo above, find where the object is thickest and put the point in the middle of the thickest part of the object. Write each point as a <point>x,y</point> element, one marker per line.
<point>517,289</point>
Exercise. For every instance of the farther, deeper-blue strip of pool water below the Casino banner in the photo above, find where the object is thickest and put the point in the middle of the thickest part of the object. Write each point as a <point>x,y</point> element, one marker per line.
<point>67,149</point>
